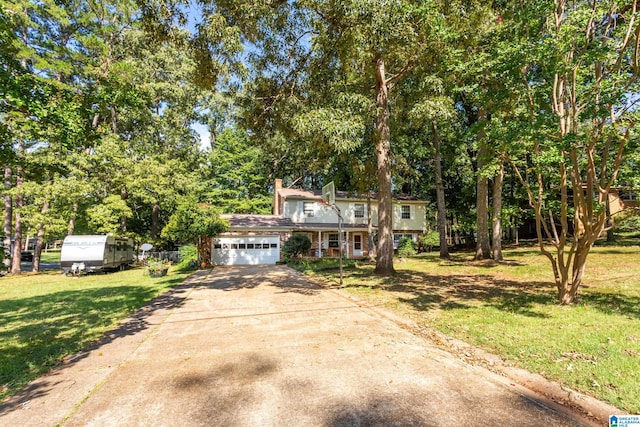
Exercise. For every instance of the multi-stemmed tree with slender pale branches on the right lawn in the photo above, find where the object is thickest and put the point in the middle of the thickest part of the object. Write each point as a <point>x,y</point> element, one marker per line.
<point>578,96</point>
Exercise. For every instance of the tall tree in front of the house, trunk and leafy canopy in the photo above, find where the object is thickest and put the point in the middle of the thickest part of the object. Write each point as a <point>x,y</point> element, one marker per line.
<point>348,48</point>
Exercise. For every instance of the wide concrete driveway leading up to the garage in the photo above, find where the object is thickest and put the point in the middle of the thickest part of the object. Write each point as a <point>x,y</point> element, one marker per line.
<point>261,346</point>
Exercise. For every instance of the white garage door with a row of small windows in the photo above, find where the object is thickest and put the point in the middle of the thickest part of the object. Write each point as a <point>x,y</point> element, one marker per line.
<point>246,250</point>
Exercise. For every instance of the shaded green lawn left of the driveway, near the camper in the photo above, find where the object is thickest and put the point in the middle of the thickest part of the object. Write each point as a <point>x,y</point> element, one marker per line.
<point>45,317</point>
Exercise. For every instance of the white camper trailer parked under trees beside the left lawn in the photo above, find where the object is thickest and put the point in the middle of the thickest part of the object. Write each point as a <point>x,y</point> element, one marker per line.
<point>94,253</point>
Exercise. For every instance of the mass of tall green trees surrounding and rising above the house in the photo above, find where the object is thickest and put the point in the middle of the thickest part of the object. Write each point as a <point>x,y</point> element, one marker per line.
<point>496,113</point>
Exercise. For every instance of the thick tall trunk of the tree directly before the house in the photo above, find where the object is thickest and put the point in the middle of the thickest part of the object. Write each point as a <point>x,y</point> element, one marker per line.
<point>384,259</point>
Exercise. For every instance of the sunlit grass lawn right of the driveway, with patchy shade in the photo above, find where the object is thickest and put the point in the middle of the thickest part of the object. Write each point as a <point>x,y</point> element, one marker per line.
<point>510,309</point>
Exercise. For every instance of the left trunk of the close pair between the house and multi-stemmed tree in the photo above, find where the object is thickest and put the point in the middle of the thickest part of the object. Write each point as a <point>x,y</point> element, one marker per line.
<point>483,249</point>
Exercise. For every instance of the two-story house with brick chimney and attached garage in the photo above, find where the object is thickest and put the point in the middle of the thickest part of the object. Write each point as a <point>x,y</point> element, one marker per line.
<point>258,239</point>
